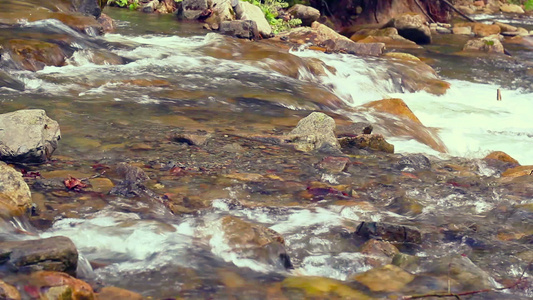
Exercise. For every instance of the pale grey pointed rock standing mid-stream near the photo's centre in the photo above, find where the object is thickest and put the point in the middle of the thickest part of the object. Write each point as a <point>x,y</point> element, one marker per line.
<point>314,132</point>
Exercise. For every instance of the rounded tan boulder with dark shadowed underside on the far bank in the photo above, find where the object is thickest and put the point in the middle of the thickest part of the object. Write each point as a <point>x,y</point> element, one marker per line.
<point>413,27</point>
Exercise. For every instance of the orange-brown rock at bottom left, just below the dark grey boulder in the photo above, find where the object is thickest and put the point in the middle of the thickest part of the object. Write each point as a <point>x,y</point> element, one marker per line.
<point>62,284</point>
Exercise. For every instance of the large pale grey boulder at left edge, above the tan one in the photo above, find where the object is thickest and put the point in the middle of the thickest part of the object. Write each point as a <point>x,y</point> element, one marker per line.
<point>28,136</point>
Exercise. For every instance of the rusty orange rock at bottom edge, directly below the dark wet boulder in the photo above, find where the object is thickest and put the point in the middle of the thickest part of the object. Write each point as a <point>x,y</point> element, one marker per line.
<point>80,290</point>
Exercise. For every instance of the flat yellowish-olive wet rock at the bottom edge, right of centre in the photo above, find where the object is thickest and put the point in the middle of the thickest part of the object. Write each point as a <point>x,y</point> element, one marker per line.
<point>322,288</point>
